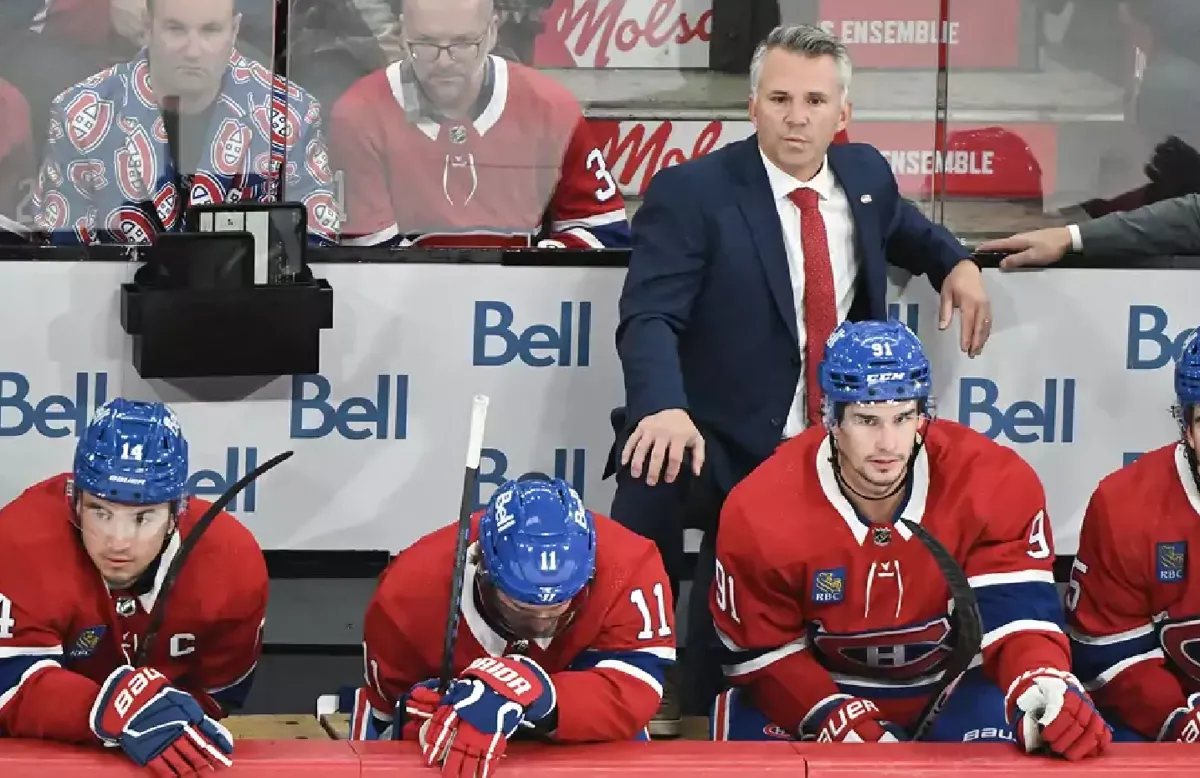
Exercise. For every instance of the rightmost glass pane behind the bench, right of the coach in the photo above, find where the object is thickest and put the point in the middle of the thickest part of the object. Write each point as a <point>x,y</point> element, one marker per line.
<point>1071,111</point>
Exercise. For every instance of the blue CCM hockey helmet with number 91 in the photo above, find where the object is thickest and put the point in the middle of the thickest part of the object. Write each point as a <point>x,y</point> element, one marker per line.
<point>874,362</point>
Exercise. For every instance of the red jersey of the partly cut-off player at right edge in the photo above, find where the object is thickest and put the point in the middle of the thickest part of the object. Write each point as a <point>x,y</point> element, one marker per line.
<point>1133,612</point>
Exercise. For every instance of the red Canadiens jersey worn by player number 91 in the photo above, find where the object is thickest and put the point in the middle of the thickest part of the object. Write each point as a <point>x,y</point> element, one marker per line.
<point>812,601</point>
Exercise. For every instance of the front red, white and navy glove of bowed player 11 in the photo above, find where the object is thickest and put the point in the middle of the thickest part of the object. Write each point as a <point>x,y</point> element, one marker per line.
<point>470,731</point>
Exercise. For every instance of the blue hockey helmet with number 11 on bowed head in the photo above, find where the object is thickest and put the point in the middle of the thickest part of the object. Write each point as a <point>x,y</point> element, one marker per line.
<point>538,542</point>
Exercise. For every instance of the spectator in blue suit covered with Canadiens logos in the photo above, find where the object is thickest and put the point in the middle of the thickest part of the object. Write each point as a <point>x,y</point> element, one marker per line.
<point>113,173</point>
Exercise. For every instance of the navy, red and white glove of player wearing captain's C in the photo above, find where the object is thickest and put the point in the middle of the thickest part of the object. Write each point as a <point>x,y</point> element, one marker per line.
<point>158,726</point>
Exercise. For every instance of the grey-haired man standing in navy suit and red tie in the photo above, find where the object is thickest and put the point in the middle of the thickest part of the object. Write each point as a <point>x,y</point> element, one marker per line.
<point>743,264</point>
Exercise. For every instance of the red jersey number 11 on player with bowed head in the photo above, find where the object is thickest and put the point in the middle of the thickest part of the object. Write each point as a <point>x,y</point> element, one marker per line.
<point>607,666</point>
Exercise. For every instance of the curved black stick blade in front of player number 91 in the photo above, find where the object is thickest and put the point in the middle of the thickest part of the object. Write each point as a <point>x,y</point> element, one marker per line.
<point>967,626</point>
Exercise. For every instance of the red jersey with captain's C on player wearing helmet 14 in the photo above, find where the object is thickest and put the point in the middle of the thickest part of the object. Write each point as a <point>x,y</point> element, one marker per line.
<point>63,632</point>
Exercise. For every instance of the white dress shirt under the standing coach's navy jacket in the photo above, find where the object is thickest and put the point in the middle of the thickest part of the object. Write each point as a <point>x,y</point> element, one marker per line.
<point>841,231</point>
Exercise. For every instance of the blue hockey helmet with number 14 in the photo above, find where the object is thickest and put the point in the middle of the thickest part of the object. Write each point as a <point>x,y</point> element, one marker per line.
<point>133,453</point>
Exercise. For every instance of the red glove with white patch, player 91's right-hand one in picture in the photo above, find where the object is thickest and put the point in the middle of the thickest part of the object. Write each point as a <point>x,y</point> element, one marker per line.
<point>1049,709</point>
